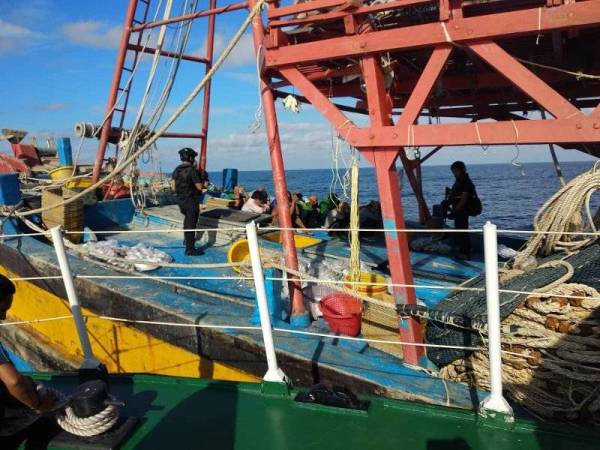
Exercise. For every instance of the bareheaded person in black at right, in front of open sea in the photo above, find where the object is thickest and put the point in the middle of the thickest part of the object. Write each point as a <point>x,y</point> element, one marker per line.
<point>460,199</point>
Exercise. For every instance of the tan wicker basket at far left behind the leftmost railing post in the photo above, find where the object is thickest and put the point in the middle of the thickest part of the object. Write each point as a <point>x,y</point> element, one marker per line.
<point>70,216</point>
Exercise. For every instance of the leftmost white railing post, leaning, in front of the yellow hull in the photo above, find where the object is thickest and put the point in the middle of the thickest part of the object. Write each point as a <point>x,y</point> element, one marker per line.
<point>90,361</point>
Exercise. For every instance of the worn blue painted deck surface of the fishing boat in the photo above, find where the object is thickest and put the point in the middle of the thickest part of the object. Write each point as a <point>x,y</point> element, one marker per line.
<point>371,364</point>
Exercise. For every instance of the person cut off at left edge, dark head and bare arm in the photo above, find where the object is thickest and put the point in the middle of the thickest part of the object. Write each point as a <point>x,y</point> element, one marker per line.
<point>16,389</point>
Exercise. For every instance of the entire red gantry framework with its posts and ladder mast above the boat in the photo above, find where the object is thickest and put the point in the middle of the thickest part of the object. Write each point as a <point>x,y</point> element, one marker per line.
<point>485,72</point>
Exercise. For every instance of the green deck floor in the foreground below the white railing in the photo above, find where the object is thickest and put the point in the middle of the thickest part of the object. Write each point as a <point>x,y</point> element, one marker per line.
<point>201,414</point>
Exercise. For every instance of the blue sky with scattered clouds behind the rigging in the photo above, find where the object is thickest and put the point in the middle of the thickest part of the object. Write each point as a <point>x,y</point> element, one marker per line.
<point>57,58</point>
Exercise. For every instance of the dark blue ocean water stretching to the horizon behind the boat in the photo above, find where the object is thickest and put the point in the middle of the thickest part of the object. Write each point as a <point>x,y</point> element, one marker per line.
<point>510,198</point>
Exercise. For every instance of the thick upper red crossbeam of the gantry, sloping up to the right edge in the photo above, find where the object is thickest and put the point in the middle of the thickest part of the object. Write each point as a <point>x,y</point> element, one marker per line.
<point>488,27</point>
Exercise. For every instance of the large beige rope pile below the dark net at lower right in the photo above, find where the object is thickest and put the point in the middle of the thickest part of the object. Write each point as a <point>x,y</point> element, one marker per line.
<point>552,360</point>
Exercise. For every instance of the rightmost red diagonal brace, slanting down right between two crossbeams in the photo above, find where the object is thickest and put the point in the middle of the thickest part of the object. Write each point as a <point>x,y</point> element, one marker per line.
<point>524,79</point>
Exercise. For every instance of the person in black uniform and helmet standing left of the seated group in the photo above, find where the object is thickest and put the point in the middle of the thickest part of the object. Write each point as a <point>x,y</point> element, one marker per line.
<point>189,183</point>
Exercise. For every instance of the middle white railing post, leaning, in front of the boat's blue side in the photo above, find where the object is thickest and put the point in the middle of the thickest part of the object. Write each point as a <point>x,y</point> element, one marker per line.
<point>274,373</point>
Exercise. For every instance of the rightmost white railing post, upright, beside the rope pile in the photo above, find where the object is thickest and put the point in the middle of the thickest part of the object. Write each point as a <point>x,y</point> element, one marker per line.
<point>495,402</point>
